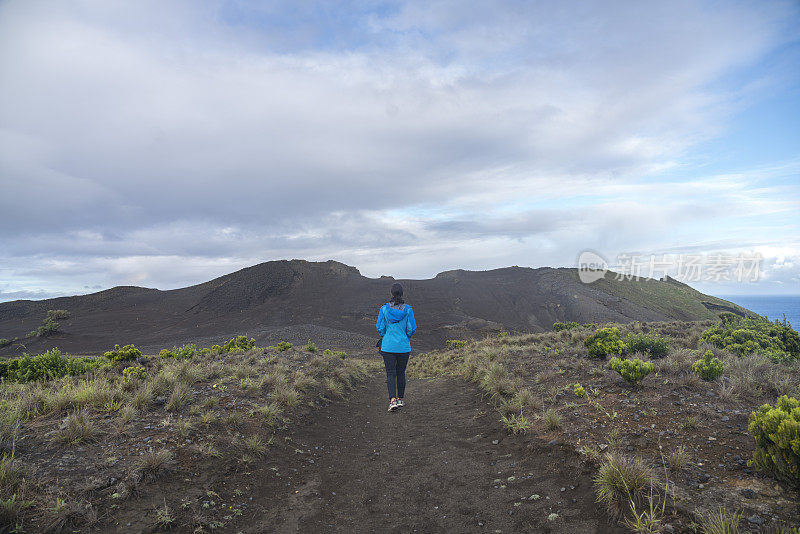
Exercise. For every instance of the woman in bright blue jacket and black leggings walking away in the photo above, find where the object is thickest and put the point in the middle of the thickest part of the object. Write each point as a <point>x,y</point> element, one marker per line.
<point>396,325</point>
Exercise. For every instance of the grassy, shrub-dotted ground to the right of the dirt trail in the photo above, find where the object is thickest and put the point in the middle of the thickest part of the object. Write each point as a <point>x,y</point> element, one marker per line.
<point>672,453</point>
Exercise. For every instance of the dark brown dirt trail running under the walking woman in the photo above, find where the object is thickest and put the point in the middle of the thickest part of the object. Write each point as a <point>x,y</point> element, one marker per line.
<point>441,464</point>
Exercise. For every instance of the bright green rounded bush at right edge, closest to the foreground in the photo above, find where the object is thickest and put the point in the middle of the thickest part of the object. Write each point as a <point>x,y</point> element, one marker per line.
<point>777,434</point>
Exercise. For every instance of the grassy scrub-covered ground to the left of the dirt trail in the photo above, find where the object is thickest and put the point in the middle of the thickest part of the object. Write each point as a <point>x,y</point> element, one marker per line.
<point>137,419</point>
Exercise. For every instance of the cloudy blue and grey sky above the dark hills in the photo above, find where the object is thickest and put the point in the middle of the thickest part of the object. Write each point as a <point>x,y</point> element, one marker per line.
<point>163,143</point>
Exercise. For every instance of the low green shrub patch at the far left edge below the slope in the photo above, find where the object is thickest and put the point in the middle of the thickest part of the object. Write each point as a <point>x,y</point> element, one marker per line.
<point>50,365</point>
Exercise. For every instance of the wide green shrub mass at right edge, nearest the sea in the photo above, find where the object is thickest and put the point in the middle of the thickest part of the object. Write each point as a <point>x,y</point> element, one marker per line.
<point>745,336</point>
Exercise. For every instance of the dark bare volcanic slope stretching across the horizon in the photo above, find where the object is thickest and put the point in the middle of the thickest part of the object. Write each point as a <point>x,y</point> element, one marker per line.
<point>334,305</point>
